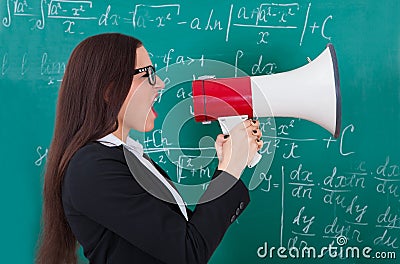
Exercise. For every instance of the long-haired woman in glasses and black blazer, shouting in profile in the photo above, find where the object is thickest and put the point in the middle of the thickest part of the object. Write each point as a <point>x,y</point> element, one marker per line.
<point>93,197</point>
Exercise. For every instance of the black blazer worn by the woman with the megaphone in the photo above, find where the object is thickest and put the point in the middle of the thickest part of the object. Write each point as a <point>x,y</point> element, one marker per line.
<point>117,221</point>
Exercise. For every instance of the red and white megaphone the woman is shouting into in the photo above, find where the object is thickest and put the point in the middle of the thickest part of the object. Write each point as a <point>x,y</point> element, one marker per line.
<point>311,92</point>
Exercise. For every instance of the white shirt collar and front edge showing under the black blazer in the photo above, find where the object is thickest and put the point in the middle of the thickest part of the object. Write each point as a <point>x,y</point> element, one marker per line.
<point>137,149</point>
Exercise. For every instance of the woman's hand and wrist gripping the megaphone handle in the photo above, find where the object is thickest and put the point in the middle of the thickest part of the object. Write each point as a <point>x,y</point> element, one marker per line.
<point>237,150</point>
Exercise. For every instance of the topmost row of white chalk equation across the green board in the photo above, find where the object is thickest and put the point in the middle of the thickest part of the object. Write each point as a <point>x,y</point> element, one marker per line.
<point>263,18</point>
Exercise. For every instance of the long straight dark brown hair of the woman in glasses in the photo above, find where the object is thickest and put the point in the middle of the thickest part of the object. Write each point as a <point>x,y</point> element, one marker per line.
<point>96,82</point>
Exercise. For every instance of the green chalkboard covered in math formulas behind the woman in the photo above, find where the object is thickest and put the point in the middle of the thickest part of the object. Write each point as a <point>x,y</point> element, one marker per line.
<point>318,191</point>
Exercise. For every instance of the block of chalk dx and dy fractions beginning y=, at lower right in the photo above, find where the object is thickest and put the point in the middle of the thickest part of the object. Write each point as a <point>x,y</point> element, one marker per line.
<point>348,194</point>
